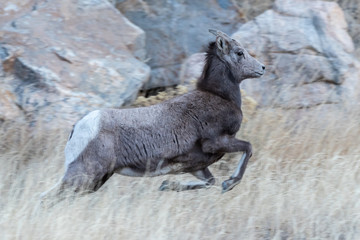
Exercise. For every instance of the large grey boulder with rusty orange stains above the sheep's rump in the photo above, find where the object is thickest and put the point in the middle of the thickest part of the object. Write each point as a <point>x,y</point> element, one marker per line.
<point>62,59</point>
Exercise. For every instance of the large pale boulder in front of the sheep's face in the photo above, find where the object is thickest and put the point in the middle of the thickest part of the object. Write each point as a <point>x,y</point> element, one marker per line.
<point>307,52</point>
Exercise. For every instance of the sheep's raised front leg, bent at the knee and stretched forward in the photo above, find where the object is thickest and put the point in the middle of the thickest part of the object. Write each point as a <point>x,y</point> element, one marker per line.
<point>227,144</point>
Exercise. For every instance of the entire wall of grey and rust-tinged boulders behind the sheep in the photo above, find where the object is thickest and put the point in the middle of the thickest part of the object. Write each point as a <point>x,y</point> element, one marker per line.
<point>62,59</point>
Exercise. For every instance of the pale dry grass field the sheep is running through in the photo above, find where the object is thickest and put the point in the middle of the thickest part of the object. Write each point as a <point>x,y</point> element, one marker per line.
<point>302,183</point>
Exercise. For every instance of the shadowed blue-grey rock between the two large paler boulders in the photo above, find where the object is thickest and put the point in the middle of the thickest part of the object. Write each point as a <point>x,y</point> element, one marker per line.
<point>176,29</point>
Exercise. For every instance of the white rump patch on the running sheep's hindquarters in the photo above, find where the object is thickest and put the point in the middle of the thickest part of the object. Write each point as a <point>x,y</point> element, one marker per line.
<point>84,131</point>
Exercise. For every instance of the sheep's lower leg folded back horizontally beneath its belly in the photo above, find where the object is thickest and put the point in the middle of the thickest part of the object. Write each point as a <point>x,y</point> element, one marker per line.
<point>207,179</point>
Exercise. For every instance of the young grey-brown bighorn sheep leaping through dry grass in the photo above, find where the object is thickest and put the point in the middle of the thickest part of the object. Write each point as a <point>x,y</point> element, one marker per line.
<point>183,135</point>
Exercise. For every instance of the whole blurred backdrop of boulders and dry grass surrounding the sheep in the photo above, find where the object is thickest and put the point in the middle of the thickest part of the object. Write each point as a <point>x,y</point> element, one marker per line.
<point>61,59</point>
